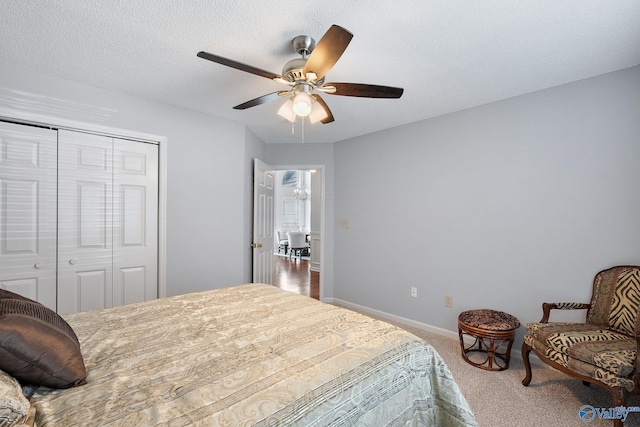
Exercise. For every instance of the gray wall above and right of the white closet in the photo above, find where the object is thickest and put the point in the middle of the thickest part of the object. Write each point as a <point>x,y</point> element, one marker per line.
<point>207,190</point>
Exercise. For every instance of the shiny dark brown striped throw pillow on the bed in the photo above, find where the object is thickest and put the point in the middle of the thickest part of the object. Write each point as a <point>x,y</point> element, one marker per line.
<point>37,346</point>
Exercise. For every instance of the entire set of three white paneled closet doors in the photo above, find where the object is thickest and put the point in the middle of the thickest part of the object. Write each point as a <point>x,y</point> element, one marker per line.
<point>78,218</point>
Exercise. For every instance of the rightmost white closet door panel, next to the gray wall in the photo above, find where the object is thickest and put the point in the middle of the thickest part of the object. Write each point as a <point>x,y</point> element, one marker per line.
<point>135,222</point>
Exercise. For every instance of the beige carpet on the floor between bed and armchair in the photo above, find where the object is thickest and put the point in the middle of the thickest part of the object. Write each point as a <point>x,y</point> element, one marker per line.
<point>499,398</point>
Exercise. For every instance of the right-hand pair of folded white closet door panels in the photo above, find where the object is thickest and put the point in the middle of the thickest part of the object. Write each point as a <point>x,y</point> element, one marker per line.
<point>107,221</point>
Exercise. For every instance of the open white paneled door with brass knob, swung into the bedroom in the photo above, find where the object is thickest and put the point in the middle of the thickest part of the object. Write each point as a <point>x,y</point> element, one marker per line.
<point>263,240</point>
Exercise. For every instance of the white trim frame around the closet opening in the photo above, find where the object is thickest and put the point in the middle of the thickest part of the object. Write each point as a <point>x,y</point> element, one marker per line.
<point>77,126</point>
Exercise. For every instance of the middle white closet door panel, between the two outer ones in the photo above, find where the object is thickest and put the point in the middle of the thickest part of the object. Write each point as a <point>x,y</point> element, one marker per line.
<point>85,246</point>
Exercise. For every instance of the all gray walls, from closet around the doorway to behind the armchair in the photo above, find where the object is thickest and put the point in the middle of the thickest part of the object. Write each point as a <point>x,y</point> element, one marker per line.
<point>501,206</point>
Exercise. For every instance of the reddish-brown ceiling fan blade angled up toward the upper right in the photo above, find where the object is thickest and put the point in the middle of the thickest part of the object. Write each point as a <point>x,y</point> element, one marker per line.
<point>327,51</point>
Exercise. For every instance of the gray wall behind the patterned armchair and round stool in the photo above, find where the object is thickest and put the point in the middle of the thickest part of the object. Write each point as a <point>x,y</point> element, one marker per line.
<point>502,206</point>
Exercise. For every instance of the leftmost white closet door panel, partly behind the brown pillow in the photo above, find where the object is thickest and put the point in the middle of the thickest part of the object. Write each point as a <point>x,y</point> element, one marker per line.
<point>28,212</point>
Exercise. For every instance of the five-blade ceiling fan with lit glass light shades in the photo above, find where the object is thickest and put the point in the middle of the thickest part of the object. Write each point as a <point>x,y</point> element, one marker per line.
<point>306,76</point>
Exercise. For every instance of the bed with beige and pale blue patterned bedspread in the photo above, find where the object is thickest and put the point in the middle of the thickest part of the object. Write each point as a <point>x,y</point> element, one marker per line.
<point>249,355</point>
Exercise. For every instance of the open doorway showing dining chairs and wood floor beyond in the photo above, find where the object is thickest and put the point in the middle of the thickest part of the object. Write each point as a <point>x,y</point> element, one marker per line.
<point>297,208</point>
